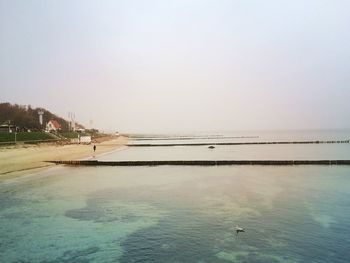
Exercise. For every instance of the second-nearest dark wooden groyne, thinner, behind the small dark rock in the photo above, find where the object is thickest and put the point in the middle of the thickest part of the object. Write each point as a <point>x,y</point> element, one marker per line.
<point>232,143</point>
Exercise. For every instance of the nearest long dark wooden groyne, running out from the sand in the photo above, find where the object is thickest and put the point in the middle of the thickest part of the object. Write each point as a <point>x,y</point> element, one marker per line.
<point>201,162</point>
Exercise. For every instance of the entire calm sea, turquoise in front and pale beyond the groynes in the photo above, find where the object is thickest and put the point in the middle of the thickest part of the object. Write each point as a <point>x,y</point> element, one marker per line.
<point>174,214</point>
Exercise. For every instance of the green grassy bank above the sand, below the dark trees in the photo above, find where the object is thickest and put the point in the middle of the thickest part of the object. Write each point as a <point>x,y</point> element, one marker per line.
<point>25,136</point>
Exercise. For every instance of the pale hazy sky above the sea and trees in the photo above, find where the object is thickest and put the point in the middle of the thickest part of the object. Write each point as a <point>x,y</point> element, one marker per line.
<point>180,66</point>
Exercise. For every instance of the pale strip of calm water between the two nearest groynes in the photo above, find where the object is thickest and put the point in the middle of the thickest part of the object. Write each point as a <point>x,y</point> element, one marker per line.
<point>235,152</point>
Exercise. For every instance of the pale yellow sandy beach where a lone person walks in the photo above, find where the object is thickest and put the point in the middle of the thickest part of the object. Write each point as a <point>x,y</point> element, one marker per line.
<point>18,160</point>
